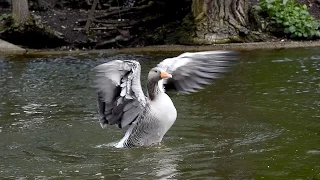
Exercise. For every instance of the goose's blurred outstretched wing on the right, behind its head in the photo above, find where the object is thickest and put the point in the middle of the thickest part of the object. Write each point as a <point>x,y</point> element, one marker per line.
<point>191,71</point>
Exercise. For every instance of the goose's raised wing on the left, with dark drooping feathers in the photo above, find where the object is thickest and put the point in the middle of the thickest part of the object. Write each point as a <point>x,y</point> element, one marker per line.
<point>120,96</point>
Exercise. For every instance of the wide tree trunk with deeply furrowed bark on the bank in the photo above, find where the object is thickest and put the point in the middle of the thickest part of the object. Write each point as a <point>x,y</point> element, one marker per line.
<point>220,21</point>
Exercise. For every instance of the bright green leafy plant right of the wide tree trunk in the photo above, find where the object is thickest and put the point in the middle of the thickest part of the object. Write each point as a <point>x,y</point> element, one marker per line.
<point>293,18</point>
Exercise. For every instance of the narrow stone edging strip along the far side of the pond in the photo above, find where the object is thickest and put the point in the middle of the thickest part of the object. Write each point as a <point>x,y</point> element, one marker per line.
<point>171,48</point>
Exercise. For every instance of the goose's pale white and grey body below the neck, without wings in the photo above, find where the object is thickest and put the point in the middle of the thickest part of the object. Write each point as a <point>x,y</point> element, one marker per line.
<point>150,128</point>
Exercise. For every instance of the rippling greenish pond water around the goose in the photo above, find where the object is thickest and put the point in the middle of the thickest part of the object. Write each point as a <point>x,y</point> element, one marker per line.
<point>261,121</point>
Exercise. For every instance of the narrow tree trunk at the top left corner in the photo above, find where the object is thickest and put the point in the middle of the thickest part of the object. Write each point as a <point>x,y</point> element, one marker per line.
<point>20,10</point>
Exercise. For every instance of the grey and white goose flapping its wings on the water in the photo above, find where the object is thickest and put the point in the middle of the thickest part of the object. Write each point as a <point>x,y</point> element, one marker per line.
<point>122,102</point>
